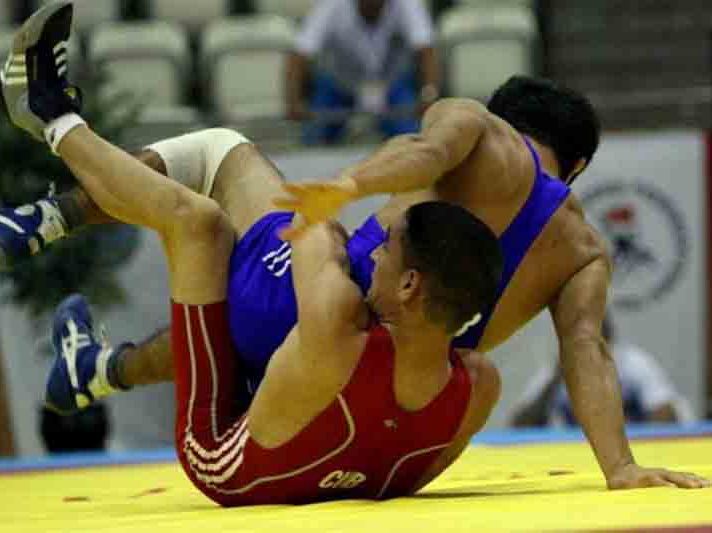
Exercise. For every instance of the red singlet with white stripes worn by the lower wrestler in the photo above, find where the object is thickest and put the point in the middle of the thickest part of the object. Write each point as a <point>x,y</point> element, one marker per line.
<point>363,445</point>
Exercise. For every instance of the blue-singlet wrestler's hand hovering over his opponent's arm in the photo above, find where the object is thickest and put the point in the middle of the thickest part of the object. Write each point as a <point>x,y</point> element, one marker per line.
<point>316,202</point>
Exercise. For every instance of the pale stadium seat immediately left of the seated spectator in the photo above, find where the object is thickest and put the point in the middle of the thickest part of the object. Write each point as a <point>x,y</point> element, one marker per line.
<point>243,58</point>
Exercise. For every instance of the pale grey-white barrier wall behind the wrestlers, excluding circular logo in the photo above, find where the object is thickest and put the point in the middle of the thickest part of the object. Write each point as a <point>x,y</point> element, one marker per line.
<point>671,327</point>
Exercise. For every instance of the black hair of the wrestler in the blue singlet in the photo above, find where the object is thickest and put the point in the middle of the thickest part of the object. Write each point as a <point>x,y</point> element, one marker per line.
<point>553,115</point>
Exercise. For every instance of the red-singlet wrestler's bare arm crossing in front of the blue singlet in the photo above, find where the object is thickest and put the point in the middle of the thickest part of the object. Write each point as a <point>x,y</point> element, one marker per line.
<point>306,370</point>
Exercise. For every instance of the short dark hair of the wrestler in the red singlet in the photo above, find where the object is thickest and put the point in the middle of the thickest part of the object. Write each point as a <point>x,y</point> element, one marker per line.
<point>460,260</point>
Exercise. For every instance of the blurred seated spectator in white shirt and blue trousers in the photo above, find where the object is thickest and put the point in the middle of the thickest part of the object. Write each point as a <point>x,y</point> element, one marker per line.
<point>369,55</point>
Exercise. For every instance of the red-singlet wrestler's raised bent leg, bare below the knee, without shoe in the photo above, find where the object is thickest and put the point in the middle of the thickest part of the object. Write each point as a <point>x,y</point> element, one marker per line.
<point>198,238</point>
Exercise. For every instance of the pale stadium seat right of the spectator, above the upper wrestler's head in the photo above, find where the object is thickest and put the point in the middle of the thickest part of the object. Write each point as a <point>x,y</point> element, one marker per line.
<point>484,46</point>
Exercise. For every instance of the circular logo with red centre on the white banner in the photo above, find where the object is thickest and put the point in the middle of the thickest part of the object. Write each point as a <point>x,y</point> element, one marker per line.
<point>647,237</point>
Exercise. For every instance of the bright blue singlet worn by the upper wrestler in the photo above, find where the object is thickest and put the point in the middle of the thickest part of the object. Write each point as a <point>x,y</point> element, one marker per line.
<point>261,299</point>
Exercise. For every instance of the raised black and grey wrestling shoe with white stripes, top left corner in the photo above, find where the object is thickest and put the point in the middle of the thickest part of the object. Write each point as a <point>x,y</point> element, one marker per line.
<point>34,78</point>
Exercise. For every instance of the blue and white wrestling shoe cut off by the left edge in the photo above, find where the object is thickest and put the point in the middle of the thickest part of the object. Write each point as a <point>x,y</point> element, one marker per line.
<point>28,229</point>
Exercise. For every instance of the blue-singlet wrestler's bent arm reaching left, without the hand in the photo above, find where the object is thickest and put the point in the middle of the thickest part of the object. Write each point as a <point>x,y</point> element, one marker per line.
<point>451,130</point>
